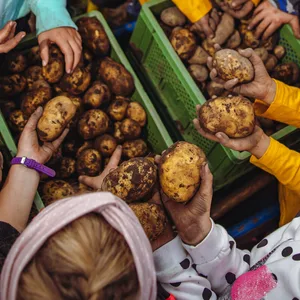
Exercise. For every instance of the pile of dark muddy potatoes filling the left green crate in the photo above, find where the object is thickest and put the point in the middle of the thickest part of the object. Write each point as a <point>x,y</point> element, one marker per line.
<point>93,102</point>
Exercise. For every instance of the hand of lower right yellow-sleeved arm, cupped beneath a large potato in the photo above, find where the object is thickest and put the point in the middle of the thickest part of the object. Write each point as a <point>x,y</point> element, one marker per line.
<point>257,143</point>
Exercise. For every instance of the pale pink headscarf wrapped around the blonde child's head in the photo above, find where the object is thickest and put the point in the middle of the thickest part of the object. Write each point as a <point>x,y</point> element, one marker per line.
<point>58,215</point>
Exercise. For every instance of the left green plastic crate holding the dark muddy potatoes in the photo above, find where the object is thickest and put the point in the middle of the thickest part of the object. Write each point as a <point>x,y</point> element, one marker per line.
<point>157,135</point>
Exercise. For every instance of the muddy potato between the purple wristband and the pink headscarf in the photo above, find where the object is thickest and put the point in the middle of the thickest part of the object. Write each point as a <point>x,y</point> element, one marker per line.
<point>56,190</point>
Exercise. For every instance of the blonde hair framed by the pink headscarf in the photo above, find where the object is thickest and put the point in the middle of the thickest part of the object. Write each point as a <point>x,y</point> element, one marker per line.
<point>88,259</point>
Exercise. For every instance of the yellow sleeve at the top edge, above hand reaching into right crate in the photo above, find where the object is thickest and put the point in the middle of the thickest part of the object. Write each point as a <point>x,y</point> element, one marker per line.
<point>194,10</point>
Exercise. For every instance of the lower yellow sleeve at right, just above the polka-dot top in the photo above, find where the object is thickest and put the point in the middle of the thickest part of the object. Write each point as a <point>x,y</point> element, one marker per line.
<point>281,162</point>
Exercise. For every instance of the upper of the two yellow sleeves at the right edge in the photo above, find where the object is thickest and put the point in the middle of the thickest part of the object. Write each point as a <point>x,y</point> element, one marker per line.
<point>285,108</point>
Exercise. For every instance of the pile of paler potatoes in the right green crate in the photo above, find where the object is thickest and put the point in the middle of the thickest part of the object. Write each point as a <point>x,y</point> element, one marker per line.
<point>231,34</point>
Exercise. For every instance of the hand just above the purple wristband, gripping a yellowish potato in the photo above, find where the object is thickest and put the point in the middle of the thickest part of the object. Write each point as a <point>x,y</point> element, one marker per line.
<point>29,145</point>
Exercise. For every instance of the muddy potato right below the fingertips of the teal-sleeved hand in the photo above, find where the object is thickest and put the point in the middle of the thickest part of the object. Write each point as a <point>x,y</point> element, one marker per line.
<point>77,82</point>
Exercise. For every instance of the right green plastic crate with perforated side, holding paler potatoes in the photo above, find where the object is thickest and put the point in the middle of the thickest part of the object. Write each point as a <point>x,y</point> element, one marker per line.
<point>166,74</point>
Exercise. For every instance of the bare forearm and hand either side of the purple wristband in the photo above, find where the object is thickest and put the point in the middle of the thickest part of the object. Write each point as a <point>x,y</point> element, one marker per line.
<point>20,187</point>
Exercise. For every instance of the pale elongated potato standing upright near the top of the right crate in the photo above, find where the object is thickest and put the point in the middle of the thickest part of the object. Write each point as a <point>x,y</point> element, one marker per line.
<point>224,30</point>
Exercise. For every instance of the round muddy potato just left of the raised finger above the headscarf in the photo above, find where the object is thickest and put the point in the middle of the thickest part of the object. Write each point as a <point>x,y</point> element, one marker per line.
<point>89,163</point>
